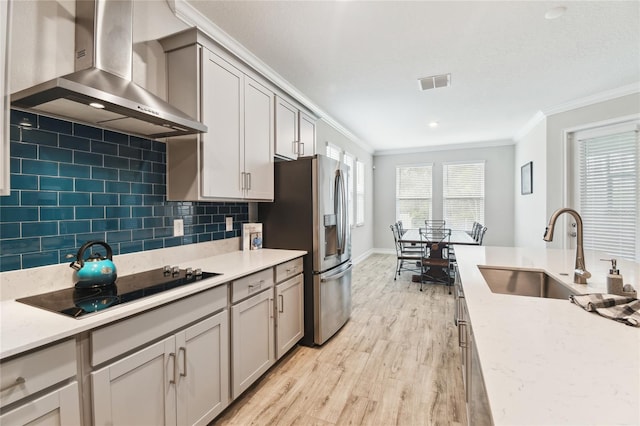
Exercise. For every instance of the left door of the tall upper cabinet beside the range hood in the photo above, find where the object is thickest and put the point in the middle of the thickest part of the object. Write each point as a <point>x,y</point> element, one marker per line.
<point>221,147</point>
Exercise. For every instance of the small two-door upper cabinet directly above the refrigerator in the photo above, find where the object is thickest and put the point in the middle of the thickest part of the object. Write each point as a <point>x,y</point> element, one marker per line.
<point>295,131</point>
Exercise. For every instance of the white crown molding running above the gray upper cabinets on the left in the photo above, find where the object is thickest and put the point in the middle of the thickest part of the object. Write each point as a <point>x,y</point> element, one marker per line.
<point>193,18</point>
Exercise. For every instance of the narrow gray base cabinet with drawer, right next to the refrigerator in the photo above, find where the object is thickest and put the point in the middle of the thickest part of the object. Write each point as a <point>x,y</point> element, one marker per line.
<point>289,292</point>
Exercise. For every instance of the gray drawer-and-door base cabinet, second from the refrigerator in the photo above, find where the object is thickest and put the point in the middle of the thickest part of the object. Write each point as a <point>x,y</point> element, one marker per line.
<point>252,329</point>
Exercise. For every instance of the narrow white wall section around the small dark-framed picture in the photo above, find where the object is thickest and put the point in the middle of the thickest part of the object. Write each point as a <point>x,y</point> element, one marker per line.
<point>530,210</point>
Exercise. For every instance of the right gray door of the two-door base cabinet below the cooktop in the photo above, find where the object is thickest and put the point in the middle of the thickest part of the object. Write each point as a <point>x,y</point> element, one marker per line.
<point>203,370</point>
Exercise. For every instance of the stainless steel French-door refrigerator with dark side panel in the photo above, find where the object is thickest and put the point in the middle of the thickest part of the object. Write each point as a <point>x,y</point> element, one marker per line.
<point>309,213</point>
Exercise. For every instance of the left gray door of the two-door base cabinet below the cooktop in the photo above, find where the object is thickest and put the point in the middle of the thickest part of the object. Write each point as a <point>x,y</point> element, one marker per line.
<point>139,389</point>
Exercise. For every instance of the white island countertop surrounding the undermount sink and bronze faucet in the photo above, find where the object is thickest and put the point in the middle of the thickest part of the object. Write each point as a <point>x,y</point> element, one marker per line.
<point>547,361</point>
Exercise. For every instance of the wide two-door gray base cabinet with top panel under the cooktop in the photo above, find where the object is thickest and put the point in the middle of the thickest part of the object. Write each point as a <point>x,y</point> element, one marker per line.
<point>183,378</point>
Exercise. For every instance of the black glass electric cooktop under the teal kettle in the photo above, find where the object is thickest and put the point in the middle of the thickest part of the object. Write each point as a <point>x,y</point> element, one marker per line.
<point>78,302</point>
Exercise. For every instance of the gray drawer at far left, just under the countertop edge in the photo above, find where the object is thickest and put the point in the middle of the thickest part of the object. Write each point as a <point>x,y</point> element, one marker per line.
<point>30,373</point>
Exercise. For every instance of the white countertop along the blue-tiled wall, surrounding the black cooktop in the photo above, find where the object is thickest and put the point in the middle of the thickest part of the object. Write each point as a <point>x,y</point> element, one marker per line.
<point>25,327</point>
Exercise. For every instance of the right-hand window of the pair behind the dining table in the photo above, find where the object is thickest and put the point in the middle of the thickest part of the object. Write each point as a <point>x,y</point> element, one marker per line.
<point>463,194</point>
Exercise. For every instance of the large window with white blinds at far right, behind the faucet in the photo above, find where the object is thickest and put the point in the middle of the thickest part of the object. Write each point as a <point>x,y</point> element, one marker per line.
<point>606,189</point>
